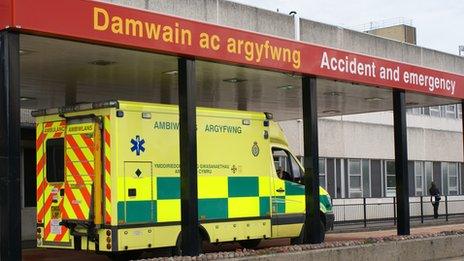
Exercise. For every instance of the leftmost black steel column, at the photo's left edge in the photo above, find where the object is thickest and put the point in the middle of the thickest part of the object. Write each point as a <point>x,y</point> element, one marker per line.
<point>10,204</point>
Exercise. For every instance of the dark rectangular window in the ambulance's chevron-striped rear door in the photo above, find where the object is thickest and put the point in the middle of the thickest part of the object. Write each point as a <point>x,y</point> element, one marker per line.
<point>55,160</point>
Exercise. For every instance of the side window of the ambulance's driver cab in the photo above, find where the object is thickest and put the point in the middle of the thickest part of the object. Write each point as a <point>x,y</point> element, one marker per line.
<point>286,166</point>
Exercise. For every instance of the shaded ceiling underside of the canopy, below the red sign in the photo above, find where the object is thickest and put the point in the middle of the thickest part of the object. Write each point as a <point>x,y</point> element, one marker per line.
<point>54,69</point>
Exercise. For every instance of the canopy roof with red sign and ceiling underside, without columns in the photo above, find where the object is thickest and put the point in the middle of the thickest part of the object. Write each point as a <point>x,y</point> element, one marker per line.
<point>118,52</point>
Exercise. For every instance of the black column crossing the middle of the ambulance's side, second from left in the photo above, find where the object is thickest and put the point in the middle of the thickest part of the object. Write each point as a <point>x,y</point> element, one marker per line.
<point>188,158</point>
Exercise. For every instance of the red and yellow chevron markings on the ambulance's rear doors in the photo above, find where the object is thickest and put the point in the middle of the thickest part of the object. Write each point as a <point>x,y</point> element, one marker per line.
<point>86,190</point>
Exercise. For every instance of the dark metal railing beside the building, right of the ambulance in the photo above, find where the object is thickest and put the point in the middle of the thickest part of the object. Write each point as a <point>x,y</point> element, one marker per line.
<point>383,209</point>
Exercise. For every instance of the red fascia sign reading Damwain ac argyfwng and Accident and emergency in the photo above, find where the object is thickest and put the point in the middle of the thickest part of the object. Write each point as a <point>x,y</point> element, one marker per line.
<point>121,26</point>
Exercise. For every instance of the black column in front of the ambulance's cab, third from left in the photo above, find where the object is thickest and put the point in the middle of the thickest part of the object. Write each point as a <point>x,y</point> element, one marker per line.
<point>313,230</point>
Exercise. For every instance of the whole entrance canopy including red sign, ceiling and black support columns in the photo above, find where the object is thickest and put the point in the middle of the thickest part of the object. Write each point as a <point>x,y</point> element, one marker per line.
<point>74,51</point>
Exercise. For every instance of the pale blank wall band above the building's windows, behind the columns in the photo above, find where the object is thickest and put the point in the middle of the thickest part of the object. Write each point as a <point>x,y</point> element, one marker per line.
<point>371,137</point>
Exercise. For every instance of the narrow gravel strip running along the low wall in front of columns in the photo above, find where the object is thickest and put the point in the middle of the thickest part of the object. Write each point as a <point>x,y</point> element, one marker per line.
<point>297,248</point>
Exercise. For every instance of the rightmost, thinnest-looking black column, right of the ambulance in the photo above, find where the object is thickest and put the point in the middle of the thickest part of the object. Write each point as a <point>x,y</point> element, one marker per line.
<point>401,162</point>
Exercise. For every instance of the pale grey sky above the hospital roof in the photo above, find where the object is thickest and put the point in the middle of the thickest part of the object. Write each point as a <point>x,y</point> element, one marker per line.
<point>439,23</point>
